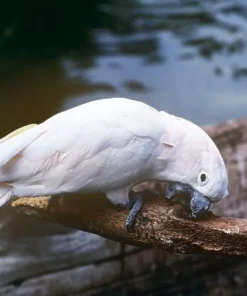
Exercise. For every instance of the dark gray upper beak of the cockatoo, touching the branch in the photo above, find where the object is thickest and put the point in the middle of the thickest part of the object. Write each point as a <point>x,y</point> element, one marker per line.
<point>199,204</point>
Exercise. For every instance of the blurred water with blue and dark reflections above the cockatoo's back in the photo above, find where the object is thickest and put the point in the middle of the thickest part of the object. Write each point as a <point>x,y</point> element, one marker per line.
<point>187,57</point>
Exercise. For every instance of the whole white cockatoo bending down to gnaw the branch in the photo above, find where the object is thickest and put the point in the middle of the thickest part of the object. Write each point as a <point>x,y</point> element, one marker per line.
<point>109,146</point>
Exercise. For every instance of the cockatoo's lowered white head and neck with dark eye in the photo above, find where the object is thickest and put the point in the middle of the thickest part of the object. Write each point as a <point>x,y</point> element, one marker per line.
<point>194,165</point>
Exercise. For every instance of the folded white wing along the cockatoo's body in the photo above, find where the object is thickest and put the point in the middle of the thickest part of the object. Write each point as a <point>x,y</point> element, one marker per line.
<point>85,148</point>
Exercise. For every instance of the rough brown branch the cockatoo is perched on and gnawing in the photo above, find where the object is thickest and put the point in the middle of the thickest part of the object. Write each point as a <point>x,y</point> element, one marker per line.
<point>160,225</point>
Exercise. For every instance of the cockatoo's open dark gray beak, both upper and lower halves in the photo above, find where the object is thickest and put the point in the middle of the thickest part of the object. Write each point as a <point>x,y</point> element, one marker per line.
<point>196,201</point>
